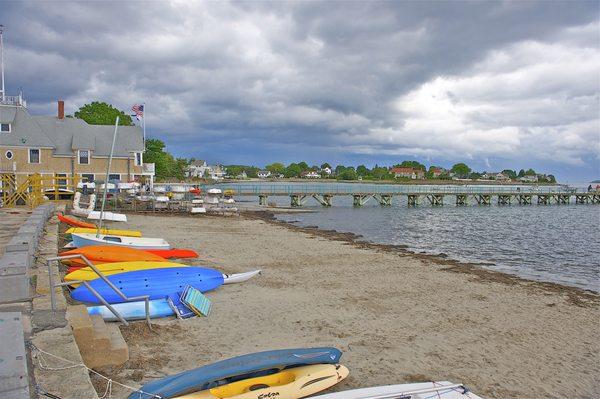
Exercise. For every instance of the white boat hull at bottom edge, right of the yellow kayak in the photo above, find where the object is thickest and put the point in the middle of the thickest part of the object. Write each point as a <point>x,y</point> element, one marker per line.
<point>421,390</point>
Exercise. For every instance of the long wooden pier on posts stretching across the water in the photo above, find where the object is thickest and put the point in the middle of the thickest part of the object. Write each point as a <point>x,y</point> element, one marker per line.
<point>384,194</point>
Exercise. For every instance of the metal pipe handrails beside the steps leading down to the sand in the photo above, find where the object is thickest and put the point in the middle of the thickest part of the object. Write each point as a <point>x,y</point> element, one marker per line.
<point>52,284</point>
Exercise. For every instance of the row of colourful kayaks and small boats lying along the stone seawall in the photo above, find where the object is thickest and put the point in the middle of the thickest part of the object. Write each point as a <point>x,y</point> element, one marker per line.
<point>135,272</point>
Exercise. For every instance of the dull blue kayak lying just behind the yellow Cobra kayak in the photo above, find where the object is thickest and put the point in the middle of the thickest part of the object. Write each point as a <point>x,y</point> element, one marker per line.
<point>235,369</point>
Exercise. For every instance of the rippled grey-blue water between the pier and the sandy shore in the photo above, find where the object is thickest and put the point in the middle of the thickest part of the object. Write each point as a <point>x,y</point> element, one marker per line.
<point>548,243</point>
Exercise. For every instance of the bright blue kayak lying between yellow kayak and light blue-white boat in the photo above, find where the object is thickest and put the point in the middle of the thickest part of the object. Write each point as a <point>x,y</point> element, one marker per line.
<point>157,283</point>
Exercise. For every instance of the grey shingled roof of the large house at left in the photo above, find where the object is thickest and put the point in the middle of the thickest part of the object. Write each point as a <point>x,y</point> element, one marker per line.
<point>68,134</point>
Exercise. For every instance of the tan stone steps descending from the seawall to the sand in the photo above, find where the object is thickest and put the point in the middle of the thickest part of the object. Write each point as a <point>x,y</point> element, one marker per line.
<point>100,344</point>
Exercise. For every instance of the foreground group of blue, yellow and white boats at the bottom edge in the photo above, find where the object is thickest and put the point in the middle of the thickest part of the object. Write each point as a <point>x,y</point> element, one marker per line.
<point>285,374</point>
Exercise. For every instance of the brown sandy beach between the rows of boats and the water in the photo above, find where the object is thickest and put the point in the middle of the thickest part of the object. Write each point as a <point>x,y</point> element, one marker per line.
<point>397,317</point>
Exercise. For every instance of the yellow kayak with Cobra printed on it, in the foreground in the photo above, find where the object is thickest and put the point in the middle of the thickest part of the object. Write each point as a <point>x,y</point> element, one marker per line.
<point>294,383</point>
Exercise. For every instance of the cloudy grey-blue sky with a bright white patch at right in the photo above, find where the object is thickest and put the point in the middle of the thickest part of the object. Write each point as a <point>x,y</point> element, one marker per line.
<point>507,84</point>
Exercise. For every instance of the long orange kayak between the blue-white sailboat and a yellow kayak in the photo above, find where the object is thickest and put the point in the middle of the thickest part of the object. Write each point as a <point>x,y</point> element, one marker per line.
<point>99,254</point>
